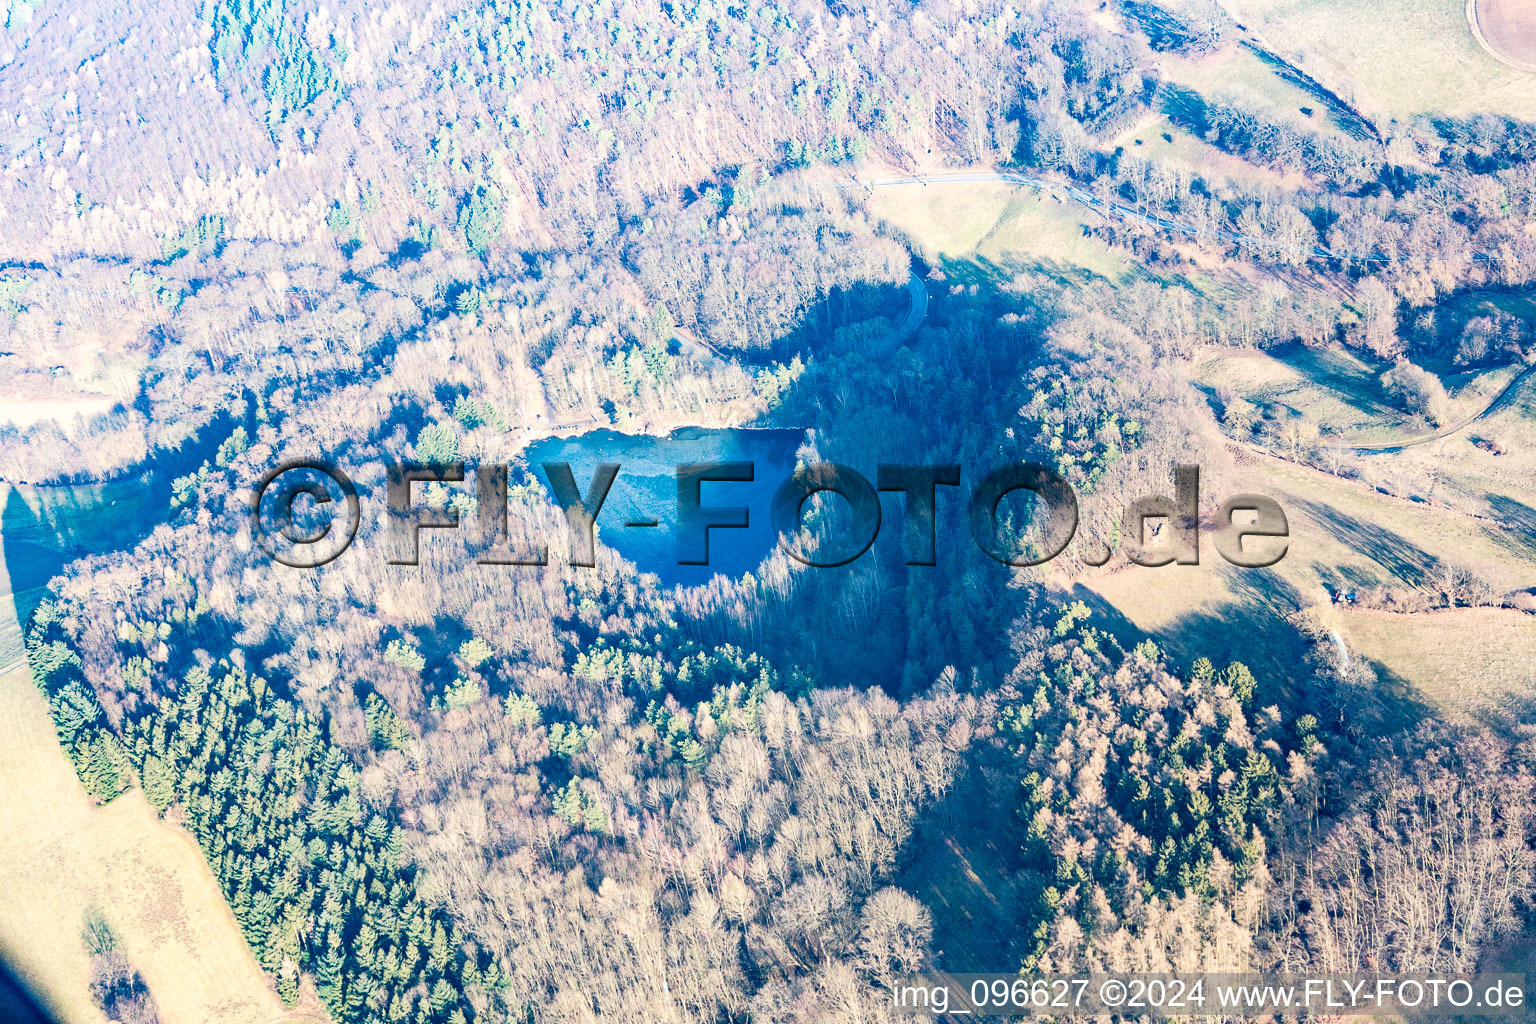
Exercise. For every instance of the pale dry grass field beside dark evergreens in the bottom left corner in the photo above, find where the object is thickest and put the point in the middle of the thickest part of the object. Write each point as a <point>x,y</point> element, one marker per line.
<point>62,857</point>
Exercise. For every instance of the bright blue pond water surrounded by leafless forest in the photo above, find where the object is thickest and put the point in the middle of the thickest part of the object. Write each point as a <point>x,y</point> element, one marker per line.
<point>646,489</point>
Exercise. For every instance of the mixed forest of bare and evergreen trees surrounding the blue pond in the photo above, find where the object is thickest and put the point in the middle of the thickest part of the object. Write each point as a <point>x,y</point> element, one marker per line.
<point>445,794</point>
